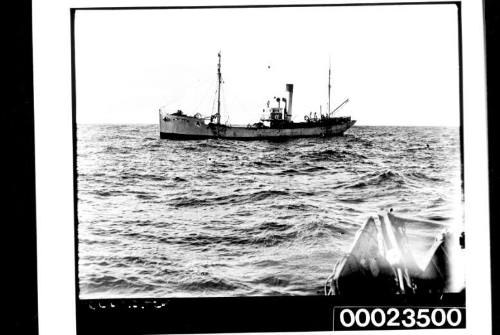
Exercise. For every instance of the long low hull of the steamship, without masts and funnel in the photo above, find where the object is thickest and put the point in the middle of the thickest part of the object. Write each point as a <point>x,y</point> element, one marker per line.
<point>189,128</point>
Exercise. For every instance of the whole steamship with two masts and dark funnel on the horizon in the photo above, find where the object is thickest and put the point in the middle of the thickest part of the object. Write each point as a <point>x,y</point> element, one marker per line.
<point>276,123</point>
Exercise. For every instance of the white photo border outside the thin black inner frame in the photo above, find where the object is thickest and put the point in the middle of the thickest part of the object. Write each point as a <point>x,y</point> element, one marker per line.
<point>56,238</point>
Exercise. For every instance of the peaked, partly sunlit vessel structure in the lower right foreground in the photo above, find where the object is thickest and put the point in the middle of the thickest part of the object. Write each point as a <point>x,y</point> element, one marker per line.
<point>381,261</point>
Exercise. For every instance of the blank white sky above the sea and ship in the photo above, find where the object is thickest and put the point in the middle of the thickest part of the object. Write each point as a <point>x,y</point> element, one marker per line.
<point>398,65</point>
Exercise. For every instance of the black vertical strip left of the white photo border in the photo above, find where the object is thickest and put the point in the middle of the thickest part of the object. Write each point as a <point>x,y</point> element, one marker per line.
<point>19,187</point>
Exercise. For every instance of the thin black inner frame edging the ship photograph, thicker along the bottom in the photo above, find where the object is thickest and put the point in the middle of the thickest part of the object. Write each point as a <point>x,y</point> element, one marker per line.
<point>238,314</point>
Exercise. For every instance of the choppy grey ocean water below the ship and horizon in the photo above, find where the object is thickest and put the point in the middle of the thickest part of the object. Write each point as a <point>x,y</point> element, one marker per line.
<point>161,218</point>
